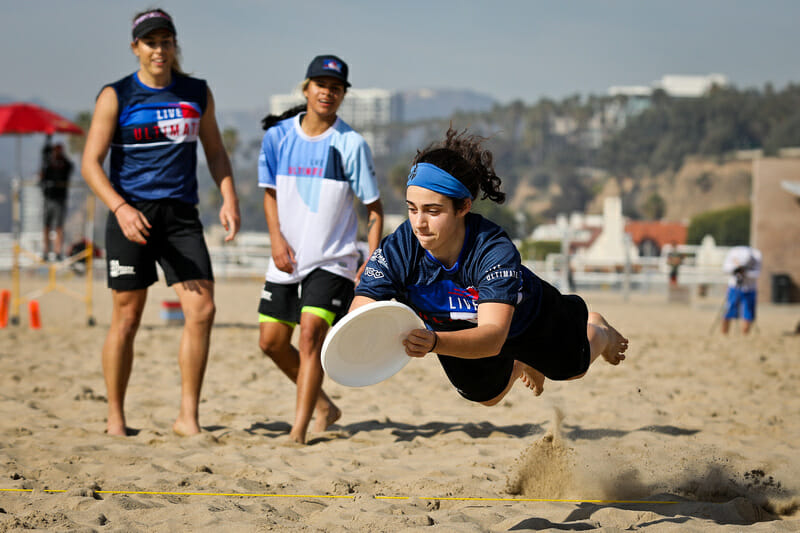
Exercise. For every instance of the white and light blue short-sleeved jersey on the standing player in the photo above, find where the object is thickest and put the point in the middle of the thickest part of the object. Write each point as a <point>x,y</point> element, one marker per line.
<point>316,179</point>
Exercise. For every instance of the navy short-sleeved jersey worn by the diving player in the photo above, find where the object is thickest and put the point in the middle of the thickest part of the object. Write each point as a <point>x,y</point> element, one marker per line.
<point>488,269</point>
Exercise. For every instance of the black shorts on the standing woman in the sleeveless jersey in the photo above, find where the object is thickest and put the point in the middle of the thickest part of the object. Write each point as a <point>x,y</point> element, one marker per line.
<point>176,243</point>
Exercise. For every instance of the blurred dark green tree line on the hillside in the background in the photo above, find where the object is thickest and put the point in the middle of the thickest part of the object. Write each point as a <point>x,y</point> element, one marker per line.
<point>564,151</point>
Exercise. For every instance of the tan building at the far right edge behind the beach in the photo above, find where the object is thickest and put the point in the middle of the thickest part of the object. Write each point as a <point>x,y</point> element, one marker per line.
<point>775,227</point>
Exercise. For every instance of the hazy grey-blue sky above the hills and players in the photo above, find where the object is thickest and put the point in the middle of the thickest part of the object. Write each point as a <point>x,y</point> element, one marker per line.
<point>63,51</point>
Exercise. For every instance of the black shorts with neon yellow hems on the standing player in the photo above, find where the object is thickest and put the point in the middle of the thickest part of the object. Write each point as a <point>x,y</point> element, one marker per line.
<point>319,290</point>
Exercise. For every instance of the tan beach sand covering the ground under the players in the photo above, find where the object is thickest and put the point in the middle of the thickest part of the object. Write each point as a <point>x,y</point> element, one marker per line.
<point>693,432</point>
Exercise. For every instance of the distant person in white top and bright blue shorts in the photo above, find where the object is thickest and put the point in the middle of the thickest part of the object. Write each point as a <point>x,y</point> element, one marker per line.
<point>743,264</point>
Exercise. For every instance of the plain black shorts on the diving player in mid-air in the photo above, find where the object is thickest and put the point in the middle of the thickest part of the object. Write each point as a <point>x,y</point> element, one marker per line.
<point>555,344</point>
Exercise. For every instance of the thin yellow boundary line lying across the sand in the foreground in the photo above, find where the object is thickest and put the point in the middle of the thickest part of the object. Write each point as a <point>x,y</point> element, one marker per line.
<point>334,496</point>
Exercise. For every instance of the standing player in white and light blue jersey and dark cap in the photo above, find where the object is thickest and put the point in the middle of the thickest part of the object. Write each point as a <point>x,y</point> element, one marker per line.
<point>311,166</point>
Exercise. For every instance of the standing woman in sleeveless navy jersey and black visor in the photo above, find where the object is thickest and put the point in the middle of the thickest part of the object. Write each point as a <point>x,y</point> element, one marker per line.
<point>151,120</point>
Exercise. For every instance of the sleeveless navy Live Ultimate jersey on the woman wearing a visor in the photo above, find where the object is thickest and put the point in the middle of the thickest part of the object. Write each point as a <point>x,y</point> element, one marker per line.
<point>154,148</point>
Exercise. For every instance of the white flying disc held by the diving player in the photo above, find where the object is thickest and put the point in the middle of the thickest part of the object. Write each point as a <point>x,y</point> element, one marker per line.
<point>366,346</point>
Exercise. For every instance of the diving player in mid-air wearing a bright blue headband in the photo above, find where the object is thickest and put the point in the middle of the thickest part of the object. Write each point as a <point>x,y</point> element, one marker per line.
<point>490,320</point>
